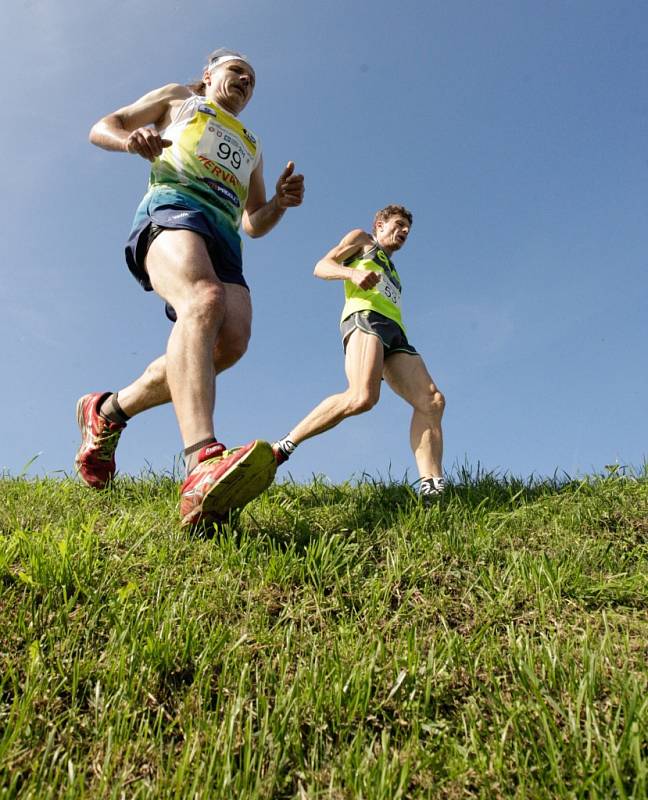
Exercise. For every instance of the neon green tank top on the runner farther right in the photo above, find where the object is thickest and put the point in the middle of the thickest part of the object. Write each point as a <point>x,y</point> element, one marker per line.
<point>385,297</point>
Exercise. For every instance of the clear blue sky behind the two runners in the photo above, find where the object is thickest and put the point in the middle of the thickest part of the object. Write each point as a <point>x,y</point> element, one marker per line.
<point>515,131</point>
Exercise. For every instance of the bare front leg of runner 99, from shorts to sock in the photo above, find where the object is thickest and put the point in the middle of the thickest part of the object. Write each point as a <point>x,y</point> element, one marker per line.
<point>181,272</point>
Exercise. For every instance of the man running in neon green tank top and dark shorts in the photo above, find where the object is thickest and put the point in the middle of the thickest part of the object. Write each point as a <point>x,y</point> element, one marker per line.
<point>376,347</point>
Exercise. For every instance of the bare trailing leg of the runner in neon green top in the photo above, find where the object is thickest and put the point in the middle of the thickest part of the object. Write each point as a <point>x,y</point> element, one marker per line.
<point>363,365</point>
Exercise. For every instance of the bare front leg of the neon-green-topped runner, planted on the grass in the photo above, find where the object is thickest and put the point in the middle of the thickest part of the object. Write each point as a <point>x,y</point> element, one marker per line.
<point>407,375</point>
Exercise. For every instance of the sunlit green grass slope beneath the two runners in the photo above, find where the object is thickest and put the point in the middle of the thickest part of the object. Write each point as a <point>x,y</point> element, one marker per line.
<point>333,642</point>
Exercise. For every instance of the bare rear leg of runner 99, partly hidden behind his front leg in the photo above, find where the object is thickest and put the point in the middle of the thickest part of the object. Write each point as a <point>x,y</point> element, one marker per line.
<point>152,389</point>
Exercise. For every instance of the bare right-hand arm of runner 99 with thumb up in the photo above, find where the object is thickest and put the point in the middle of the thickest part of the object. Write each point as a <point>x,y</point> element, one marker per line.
<point>261,215</point>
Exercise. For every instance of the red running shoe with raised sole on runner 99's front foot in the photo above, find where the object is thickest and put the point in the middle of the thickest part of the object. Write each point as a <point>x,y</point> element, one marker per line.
<point>225,481</point>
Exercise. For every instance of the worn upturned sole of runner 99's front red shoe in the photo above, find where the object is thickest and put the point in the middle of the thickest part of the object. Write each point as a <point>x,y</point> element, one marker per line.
<point>243,481</point>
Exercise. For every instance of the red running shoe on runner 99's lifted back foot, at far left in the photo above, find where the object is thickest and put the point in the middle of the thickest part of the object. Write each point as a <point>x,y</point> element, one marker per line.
<point>95,458</point>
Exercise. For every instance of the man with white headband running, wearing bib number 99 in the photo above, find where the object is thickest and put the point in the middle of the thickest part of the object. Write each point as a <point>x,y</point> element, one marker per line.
<point>206,180</point>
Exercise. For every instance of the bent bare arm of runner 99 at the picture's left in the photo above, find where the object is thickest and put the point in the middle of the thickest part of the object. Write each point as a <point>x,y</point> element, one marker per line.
<point>128,129</point>
